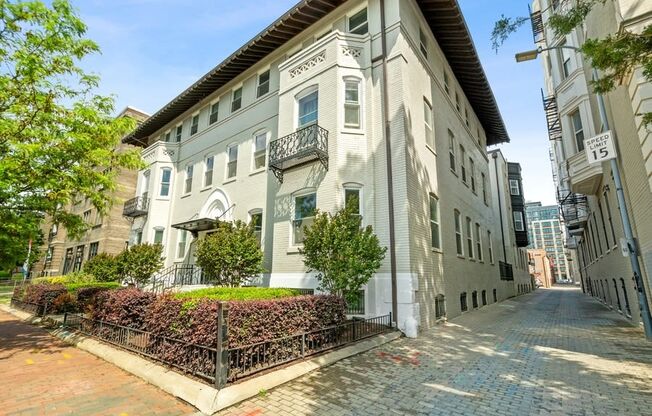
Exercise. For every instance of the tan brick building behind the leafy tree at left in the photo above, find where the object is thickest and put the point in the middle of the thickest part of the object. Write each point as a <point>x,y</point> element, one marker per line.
<point>108,234</point>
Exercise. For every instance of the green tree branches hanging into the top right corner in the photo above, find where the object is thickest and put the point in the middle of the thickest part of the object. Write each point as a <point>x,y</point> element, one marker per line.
<point>616,56</point>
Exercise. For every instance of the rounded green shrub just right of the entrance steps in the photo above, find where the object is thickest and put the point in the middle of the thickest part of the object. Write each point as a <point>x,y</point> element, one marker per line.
<point>231,255</point>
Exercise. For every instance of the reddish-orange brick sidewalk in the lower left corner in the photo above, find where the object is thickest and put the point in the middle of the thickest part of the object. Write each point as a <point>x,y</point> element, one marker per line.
<point>41,375</point>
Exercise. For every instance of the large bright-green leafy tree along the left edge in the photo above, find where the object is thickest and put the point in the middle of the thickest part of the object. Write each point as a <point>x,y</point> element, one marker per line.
<point>58,139</point>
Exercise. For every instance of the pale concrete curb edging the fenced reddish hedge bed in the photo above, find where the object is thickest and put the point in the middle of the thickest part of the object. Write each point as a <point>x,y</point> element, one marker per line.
<point>202,396</point>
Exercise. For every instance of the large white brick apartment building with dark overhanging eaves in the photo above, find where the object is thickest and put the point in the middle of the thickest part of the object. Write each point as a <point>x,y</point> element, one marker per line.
<point>303,116</point>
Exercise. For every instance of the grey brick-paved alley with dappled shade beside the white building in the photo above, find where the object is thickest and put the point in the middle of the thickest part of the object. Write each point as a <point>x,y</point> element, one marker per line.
<point>552,352</point>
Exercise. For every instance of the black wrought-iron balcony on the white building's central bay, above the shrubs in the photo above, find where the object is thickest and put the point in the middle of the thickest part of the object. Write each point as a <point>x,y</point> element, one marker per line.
<point>303,146</point>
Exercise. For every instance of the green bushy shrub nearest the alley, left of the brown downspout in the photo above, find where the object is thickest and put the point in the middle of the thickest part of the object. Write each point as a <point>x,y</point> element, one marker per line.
<point>342,253</point>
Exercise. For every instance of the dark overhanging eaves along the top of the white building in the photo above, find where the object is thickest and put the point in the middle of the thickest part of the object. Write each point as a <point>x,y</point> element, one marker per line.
<point>443,16</point>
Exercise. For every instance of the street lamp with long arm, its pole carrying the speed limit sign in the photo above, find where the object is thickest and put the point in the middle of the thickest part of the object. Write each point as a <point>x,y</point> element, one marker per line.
<point>632,247</point>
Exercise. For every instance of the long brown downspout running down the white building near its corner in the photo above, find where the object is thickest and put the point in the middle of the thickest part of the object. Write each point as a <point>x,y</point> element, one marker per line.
<point>388,152</point>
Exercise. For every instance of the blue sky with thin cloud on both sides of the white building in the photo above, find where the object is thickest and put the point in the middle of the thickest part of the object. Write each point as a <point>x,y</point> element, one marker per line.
<point>154,49</point>
